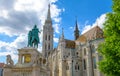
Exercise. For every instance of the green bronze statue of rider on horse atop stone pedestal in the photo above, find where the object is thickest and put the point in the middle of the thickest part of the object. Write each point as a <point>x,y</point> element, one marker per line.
<point>33,37</point>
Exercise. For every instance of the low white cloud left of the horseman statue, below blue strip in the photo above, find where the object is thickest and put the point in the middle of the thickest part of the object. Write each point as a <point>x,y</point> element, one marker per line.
<point>11,48</point>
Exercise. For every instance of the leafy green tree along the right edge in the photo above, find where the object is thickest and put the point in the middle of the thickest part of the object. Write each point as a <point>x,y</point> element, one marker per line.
<point>110,48</point>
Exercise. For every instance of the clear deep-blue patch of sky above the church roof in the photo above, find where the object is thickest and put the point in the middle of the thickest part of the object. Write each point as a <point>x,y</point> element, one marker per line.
<point>85,10</point>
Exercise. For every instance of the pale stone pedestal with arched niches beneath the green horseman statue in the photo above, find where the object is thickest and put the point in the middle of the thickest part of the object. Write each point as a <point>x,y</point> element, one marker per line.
<point>30,63</point>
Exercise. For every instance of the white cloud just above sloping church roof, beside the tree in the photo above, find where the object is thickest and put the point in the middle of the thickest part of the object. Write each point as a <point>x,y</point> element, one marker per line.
<point>99,22</point>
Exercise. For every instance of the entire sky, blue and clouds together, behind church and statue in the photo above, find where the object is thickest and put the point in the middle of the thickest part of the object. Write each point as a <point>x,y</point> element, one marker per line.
<point>18,17</point>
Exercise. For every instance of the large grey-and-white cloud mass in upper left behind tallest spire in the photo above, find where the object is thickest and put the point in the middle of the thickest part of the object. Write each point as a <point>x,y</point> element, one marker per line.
<point>23,14</point>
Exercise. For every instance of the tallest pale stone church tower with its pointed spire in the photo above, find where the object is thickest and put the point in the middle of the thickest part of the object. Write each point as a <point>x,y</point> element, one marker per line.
<point>47,43</point>
